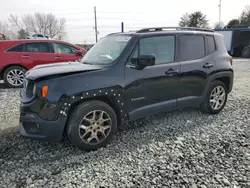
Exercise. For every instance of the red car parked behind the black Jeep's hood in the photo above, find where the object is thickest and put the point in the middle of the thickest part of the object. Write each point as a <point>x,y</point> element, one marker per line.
<point>18,56</point>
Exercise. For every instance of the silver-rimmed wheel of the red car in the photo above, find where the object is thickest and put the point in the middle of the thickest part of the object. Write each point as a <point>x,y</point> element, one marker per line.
<point>11,71</point>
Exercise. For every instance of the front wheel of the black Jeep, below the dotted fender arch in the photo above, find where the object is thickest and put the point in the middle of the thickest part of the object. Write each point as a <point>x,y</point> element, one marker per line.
<point>91,130</point>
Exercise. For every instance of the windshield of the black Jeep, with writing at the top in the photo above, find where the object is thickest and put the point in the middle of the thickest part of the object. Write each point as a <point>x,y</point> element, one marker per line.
<point>106,50</point>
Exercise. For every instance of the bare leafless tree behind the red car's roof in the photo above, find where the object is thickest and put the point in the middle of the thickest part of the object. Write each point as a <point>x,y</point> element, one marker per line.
<point>46,24</point>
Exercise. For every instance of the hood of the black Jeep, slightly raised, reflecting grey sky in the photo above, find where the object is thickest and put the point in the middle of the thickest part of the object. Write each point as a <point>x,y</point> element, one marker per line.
<point>54,69</point>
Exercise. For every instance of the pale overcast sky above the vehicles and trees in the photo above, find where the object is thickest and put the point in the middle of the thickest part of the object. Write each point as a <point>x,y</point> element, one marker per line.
<point>110,13</point>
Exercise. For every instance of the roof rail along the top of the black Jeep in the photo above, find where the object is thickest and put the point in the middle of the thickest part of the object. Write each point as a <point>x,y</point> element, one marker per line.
<point>152,29</point>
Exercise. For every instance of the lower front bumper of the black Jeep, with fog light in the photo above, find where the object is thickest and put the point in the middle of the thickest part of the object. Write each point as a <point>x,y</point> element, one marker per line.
<point>32,126</point>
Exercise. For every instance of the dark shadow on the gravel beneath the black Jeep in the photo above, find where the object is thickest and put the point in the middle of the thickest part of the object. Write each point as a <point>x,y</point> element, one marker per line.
<point>129,138</point>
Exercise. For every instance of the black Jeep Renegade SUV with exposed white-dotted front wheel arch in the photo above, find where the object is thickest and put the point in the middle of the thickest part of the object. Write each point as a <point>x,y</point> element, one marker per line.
<point>124,77</point>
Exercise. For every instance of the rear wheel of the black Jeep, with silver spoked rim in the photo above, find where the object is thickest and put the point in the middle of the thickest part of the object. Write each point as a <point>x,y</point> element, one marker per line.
<point>209,107</point>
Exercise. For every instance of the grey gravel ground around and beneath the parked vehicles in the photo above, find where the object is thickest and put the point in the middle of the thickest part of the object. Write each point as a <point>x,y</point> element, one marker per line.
<point>178,149</point>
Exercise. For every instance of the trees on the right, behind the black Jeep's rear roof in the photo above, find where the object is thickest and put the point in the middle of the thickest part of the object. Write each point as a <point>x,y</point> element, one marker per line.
<point>198,19</point>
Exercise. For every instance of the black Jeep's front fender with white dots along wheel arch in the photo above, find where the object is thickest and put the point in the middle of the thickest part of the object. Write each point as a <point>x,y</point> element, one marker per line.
<point>73,89</point>
